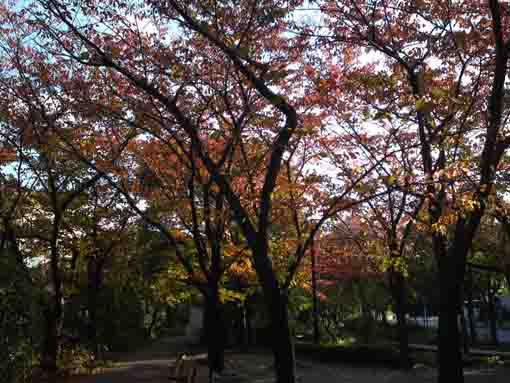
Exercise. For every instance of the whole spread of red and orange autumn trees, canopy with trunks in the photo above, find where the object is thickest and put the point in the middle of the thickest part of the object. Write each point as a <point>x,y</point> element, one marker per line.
<point>238,134</point>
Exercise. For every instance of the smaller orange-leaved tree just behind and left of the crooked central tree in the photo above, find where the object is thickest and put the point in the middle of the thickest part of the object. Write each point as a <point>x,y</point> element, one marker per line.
<point>183,193</point>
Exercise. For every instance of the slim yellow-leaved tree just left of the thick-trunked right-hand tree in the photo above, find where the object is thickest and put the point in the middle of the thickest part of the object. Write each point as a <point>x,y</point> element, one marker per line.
<point>387,219</point>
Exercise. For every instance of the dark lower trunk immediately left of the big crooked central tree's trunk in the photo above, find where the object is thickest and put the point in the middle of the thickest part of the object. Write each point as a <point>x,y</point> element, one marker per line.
<point>214,331</point>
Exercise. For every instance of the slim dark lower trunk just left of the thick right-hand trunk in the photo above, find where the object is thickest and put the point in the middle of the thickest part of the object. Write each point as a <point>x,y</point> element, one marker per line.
<point>399,295</point>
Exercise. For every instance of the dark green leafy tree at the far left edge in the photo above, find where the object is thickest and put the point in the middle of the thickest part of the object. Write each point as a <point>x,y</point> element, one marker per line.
<point>19,314</point>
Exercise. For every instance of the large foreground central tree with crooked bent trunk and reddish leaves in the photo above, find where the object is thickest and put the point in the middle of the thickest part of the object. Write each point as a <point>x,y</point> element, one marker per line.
<point>261,66</point>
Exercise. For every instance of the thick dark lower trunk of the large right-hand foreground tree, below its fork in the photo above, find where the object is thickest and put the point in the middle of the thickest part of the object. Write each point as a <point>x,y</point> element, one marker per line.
<point>449,353</point>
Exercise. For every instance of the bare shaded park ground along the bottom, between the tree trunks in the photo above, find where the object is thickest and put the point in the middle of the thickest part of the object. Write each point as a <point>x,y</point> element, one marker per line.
<point>151,365</point>
